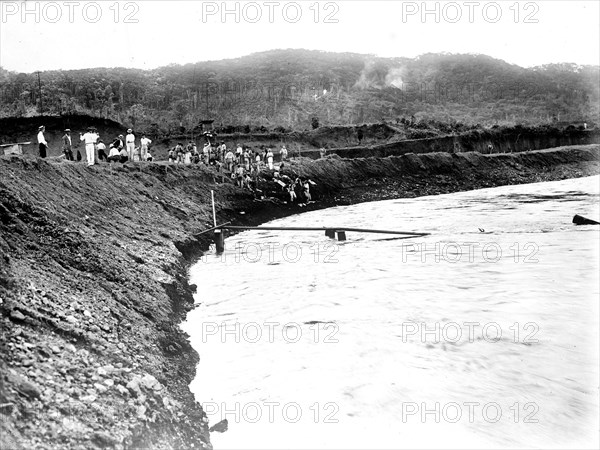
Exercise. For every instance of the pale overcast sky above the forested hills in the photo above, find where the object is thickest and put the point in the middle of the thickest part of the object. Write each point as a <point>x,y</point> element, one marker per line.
<point>148,34</point>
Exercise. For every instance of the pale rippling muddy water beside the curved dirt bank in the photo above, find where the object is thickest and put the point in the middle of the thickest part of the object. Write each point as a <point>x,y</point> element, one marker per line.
<point>484,334</point>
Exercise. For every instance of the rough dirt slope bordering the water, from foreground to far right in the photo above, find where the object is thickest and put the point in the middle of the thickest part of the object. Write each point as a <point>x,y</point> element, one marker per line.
<point>93,280</point>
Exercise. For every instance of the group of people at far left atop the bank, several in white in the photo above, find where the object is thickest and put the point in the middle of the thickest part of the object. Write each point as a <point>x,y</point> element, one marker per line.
<point>122,149</point>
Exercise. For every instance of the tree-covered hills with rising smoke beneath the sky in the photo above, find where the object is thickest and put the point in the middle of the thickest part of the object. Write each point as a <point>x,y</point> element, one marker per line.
<point>301,89</point>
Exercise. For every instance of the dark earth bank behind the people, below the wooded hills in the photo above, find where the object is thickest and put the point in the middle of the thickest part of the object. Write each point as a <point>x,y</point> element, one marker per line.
<point>376,140</point>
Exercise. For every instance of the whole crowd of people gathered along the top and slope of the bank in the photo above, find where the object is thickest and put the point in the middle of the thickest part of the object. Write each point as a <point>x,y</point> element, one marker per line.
<point>242,164</point>
